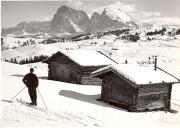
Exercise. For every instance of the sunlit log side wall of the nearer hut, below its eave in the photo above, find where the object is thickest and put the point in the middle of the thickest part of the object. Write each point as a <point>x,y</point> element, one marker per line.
<point>152,97</point>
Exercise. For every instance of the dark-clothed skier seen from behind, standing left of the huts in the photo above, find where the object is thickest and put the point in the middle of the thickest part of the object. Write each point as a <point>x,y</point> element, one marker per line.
<point>31,82</point>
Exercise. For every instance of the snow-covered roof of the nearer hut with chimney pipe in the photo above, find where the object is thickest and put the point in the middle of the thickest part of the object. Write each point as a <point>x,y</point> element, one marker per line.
<point>137,74</point>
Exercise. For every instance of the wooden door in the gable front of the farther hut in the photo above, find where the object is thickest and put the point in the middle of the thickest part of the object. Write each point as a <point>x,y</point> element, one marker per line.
<point>64,72</point>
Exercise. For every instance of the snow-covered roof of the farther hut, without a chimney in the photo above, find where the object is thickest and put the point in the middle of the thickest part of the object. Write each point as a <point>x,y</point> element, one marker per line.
<point>87,57</point>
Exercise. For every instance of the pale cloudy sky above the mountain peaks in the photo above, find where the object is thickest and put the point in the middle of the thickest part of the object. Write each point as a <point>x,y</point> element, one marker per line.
<point>14,12</point>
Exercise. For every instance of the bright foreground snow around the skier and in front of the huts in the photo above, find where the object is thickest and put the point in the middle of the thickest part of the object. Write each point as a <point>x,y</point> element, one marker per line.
<point>71,105</point>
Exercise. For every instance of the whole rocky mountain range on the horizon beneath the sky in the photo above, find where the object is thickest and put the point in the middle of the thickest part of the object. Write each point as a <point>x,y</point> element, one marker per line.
<point>68,21</point>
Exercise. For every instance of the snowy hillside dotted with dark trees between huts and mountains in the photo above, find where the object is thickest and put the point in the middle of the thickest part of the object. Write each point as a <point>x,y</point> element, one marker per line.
<point>135,45</point>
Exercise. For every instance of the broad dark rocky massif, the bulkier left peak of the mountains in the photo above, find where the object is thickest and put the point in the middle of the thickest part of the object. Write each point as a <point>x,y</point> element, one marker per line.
<point>69,20</point>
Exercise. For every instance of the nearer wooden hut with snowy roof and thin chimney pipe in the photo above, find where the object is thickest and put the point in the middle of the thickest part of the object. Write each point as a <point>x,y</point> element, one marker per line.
<point>135,88</point>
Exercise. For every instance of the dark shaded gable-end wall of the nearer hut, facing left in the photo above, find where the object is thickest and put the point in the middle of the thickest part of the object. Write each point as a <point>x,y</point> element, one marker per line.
<point>116,89</point>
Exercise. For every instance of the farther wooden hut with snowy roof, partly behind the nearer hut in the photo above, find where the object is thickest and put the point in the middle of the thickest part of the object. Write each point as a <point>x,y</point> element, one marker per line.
<point>75,66</point>
